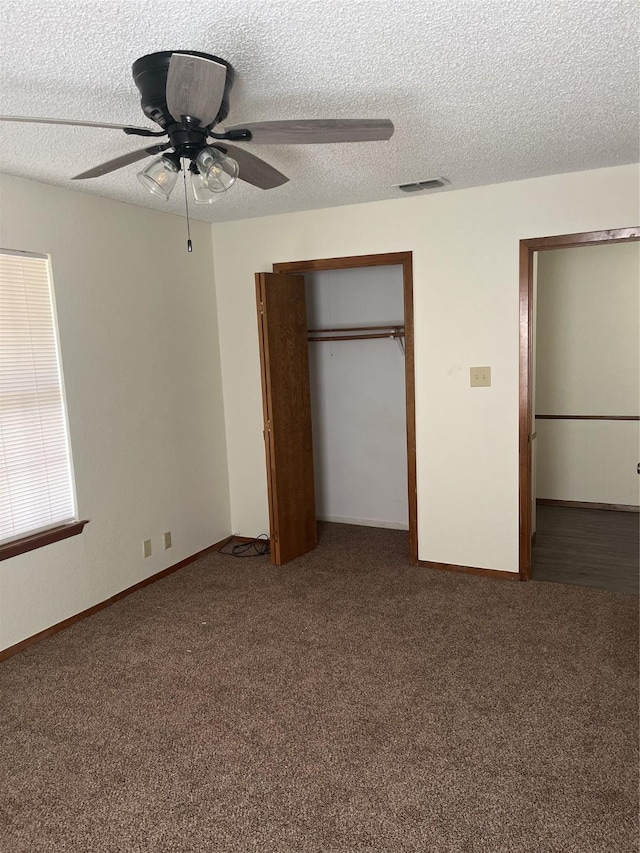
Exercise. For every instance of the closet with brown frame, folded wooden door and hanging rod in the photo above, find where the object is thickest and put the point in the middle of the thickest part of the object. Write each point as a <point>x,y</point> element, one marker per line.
<point>336,349</point>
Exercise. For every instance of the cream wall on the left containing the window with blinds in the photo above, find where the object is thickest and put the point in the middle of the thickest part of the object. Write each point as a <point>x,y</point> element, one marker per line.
<point>138,328</point>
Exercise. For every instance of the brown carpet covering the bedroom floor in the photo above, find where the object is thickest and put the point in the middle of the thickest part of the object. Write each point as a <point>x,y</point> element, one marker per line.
<point>346,702</point>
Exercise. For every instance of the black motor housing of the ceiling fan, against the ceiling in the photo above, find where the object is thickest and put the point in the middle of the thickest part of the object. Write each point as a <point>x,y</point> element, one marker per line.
<point>150,76</point>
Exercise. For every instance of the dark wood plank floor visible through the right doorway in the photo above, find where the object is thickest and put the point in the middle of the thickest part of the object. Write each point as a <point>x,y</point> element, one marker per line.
<point>588,547</point>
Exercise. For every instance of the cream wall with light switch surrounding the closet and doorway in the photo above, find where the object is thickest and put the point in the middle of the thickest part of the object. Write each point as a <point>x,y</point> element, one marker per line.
<point>465,246</point>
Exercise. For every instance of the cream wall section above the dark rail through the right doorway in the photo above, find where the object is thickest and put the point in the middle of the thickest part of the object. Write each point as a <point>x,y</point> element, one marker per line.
<point>588,337</point>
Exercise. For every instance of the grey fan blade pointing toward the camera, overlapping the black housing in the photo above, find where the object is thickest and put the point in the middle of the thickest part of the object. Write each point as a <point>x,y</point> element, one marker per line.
<point>195,87</point>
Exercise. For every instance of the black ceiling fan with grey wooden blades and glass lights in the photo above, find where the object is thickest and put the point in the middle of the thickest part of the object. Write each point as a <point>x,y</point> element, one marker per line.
<point>187,94</point>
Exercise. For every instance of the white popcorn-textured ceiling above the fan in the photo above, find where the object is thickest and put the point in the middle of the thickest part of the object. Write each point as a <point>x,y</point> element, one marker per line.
<point>479,92</point>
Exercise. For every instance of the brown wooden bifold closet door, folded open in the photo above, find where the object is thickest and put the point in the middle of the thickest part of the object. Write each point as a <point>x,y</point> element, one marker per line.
<point>284,360</point>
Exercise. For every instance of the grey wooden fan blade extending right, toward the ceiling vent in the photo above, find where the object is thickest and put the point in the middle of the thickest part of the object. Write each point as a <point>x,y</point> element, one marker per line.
<point>315,131</point>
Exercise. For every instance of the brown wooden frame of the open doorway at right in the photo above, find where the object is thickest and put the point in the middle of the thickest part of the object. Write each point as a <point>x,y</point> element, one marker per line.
<point>527,250</point>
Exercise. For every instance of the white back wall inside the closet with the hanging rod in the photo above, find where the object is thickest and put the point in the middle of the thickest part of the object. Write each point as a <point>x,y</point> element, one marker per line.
<point>358,399</point>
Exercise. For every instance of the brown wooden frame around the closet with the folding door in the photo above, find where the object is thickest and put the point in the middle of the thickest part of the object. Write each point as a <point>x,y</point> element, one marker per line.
<point>405,260</point>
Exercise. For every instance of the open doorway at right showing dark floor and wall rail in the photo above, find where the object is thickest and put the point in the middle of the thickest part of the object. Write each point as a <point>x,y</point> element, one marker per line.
<point>579,409</point>
